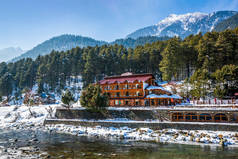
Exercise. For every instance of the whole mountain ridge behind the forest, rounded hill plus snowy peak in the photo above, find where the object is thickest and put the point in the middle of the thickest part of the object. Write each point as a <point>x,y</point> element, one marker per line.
<point>174,25</point>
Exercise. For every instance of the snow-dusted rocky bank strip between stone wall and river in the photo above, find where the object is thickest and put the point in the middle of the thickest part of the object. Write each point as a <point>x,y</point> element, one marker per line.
<point>146,134</point>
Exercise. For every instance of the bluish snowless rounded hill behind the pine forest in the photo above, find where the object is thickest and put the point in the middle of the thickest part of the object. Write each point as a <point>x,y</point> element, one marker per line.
<point>67,42</point>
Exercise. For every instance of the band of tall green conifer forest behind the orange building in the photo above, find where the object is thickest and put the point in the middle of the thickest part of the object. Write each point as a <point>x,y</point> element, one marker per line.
<point>206,61</point>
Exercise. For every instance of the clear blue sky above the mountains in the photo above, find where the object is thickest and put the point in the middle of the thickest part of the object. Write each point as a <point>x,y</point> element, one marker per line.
<point>26,23</point>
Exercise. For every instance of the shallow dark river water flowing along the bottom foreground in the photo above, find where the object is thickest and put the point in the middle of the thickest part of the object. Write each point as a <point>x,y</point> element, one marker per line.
<point>67,146</point>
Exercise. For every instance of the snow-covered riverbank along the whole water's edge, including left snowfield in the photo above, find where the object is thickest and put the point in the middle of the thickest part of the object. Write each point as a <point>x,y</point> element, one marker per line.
<point>19,117</point>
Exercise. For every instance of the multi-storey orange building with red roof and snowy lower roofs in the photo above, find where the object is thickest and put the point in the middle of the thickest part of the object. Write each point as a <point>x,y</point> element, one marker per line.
<point>136,90</point>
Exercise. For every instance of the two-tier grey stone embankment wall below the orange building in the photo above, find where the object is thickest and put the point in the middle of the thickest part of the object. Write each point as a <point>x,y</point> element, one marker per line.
<point>156,119</point>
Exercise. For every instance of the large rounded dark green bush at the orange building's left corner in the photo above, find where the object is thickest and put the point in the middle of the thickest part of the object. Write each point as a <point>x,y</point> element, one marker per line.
<point>92,98</point>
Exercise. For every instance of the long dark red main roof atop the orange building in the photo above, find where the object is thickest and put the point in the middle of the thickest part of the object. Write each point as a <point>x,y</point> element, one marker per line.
<point>126,77</point>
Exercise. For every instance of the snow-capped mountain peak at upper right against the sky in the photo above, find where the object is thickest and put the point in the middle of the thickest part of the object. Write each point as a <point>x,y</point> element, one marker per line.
<point>184,25</point>
